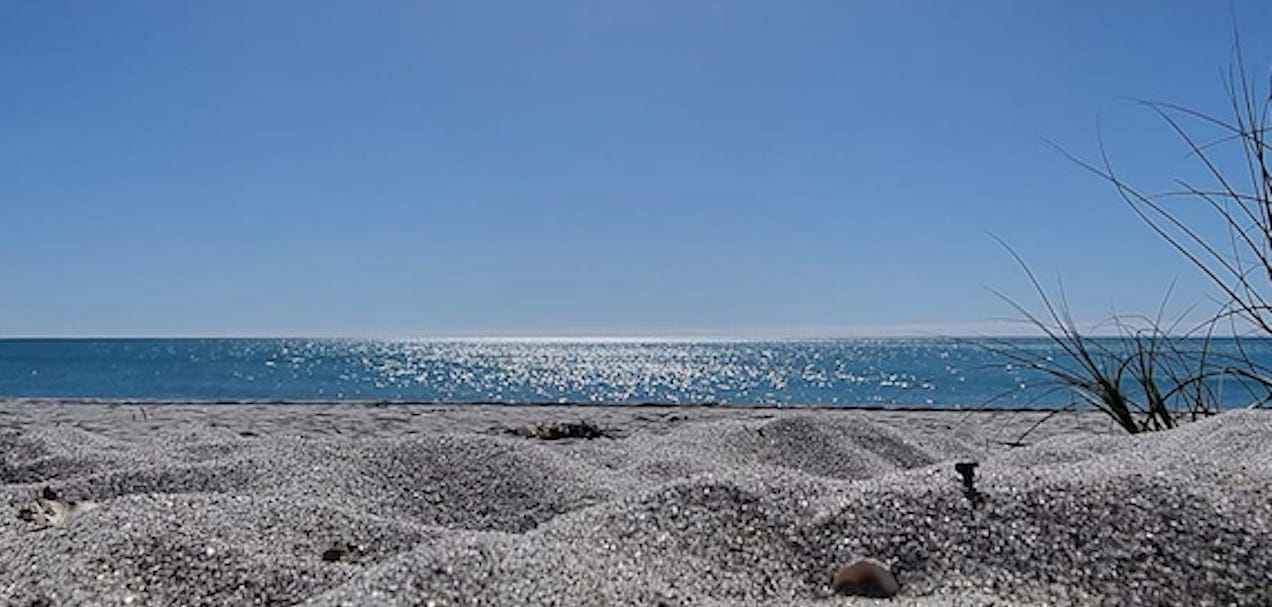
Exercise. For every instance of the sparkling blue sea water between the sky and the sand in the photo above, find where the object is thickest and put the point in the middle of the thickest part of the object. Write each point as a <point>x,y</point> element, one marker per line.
<point>900,372</point>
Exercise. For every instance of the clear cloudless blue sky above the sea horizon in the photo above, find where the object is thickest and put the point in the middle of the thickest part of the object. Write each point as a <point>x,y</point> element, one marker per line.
<point>586,169</point>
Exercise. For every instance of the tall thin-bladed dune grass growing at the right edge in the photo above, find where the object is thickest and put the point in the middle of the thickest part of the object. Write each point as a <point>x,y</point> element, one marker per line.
<point>1144,379</point>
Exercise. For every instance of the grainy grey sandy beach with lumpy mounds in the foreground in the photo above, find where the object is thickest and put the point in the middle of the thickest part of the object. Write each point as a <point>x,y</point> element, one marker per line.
<point>420,505</point>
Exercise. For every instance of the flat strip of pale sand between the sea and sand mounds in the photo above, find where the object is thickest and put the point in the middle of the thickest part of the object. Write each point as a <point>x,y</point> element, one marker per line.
<point>392,419</point>
